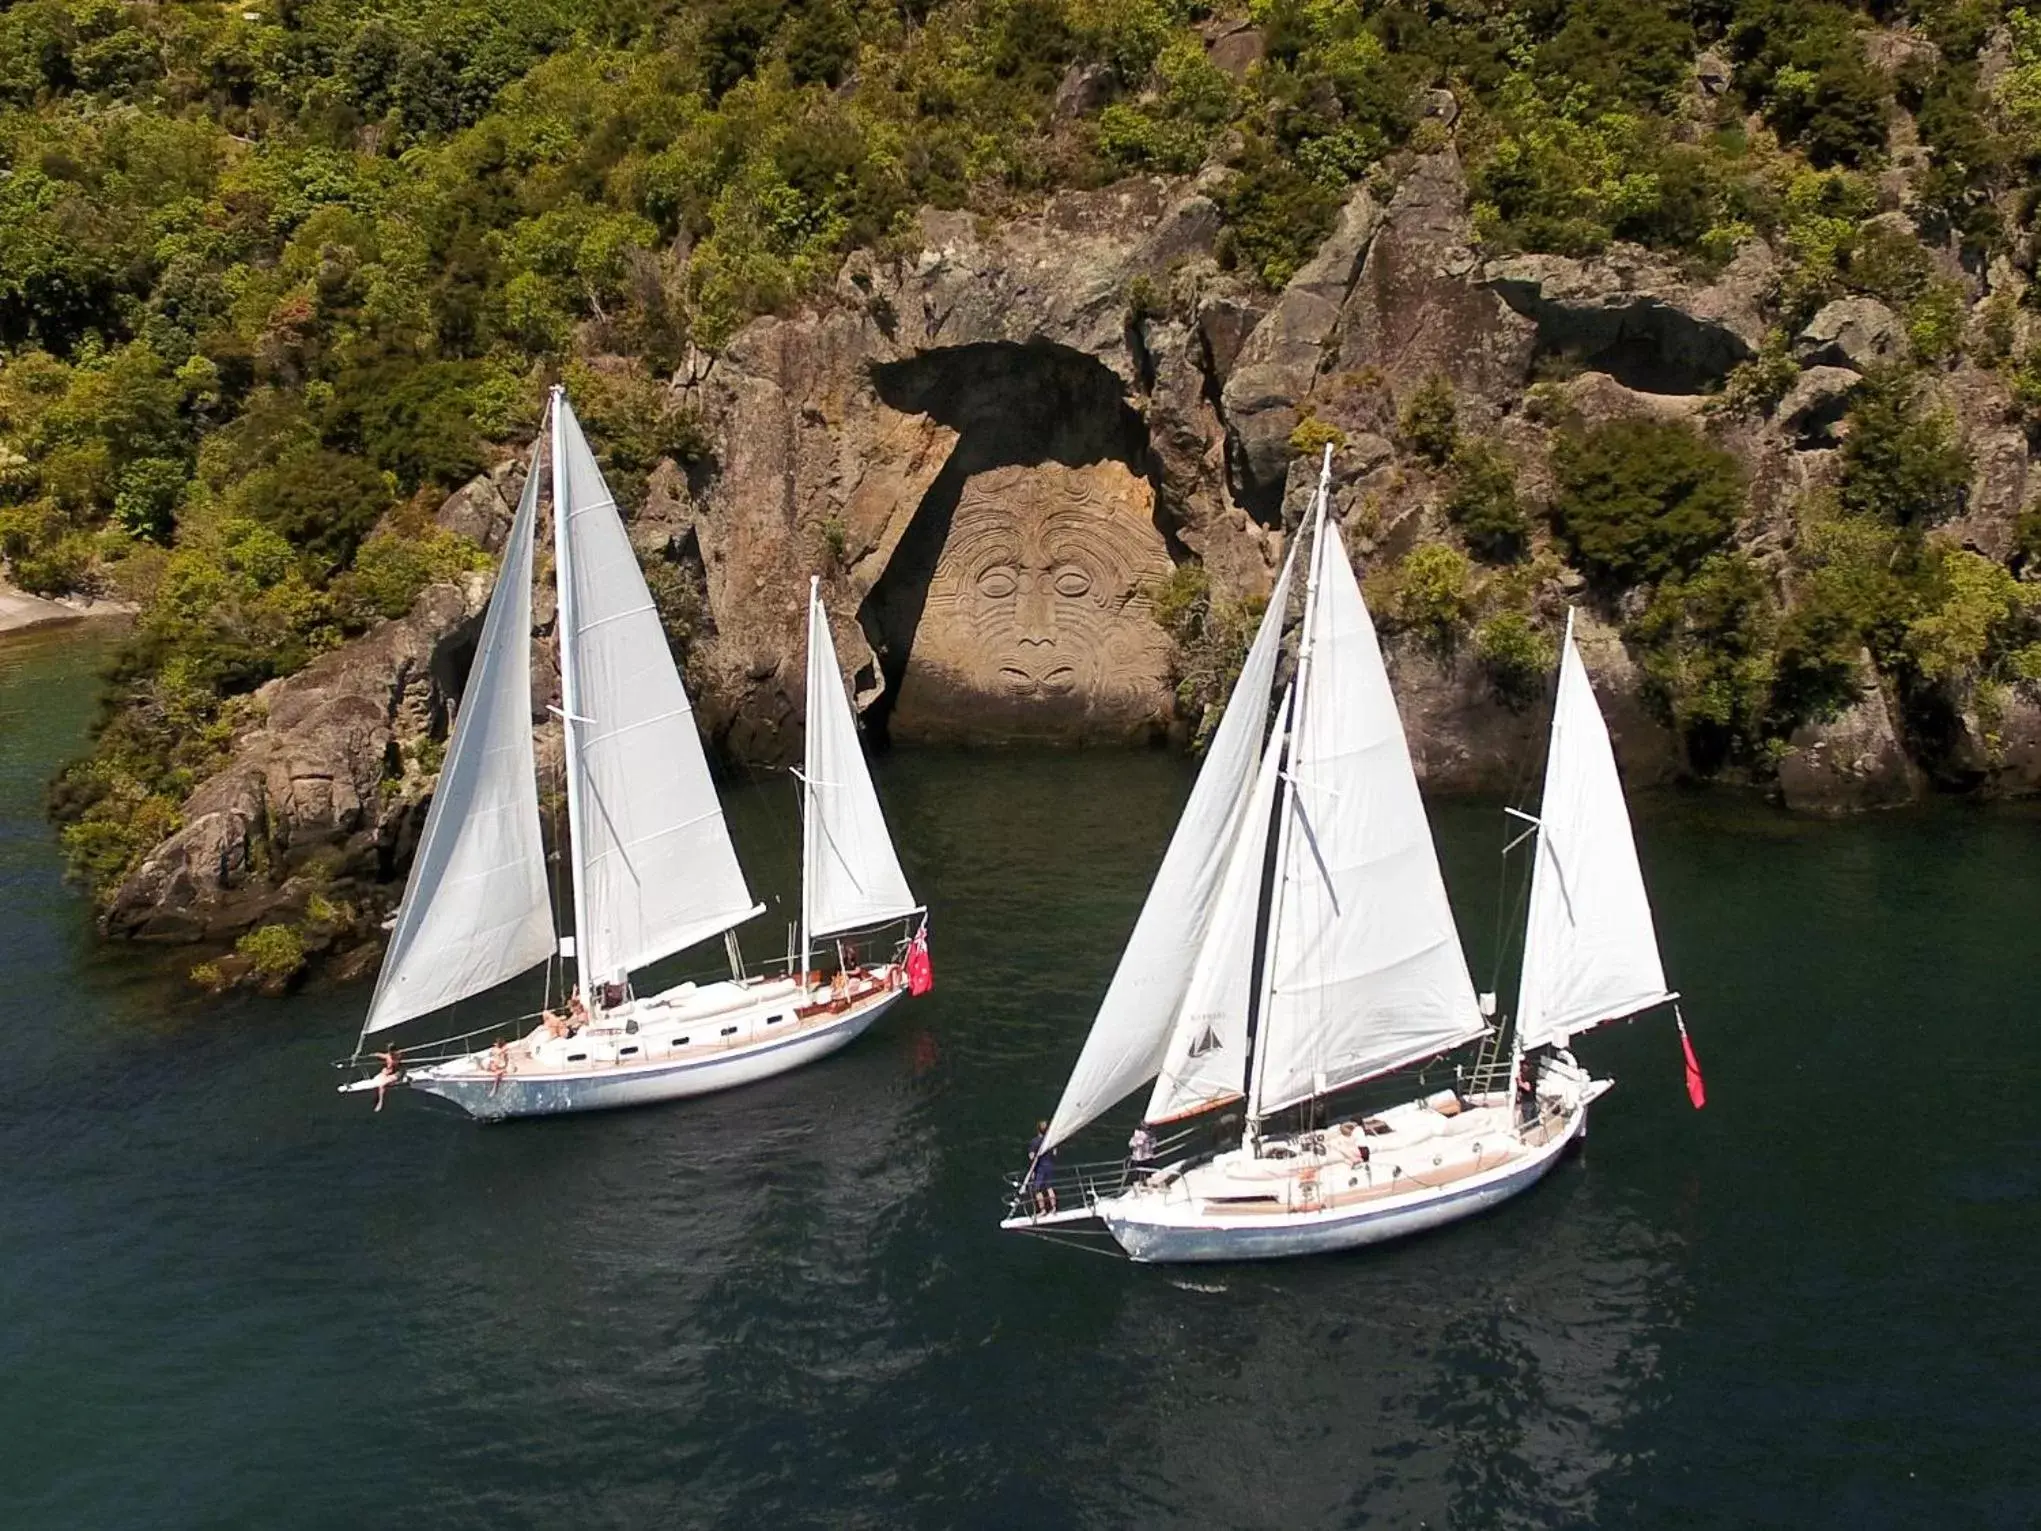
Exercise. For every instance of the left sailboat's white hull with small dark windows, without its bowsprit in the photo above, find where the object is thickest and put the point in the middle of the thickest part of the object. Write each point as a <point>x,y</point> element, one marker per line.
<point>766,1038</point>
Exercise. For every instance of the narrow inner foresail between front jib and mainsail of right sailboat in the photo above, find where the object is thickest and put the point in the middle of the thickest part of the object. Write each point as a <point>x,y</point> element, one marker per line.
<point>1207,1058</point>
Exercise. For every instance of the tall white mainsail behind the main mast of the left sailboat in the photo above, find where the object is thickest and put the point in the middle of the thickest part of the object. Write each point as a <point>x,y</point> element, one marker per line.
<point>654,865</point>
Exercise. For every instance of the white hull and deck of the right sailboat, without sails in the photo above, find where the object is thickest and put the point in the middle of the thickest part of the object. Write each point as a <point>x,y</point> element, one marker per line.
<point>1424,1185</point>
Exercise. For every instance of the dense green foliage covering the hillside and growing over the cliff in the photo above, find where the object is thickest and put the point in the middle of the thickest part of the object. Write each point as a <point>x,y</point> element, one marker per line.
<point>277,277</point>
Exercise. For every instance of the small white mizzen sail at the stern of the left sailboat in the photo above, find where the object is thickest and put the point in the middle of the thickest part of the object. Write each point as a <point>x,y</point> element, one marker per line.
<point>848,858</point>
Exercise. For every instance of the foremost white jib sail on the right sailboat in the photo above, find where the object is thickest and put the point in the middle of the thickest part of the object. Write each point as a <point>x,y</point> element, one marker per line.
<point>1128,1040</point>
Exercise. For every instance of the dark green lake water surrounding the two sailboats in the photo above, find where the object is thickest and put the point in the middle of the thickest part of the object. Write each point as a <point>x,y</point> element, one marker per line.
<point>232,1299</point>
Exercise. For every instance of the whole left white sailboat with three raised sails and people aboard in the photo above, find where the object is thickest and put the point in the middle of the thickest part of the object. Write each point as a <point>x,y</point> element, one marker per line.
<point>654,871</point>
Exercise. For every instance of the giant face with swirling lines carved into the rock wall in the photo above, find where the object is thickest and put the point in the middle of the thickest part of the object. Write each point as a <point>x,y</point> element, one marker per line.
<point>1036,618</point>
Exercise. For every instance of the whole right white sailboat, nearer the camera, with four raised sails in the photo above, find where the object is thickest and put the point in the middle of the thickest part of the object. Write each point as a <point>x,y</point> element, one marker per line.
<point>1299,942</point>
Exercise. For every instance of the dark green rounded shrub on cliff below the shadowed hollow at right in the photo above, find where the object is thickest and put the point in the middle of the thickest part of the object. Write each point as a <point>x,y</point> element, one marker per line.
<point>1642,501</point>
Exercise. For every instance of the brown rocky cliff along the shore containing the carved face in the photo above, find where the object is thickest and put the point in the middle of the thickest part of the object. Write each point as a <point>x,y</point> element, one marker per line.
<point>997,442</point>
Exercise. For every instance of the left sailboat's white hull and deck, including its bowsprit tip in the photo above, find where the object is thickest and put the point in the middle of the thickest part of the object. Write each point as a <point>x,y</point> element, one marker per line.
<point>691,1040</point>
